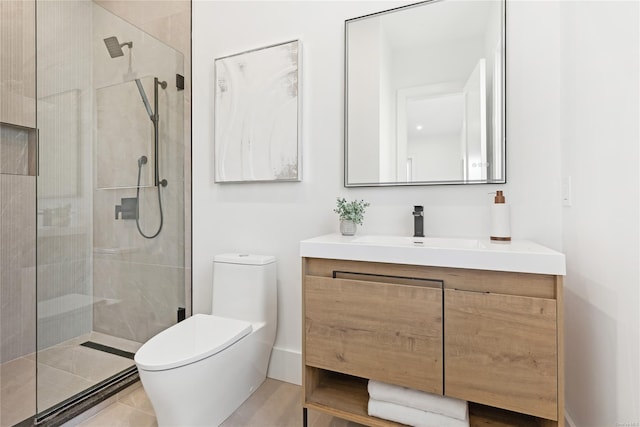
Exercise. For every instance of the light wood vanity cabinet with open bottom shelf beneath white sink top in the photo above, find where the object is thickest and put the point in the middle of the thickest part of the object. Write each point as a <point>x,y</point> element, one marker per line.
<point>493,338</point>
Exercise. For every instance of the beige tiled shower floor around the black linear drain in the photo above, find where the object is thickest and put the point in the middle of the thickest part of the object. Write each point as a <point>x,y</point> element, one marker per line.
<point>63,371</point>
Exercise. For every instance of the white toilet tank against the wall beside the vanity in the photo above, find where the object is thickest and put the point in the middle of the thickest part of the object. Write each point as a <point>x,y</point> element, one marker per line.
<point>244,287</point>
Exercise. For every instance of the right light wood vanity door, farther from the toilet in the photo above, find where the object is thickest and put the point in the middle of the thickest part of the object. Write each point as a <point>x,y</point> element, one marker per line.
<point>501,350</point>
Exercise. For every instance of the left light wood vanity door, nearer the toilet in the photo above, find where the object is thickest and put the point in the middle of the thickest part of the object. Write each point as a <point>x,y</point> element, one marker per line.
<point>382,331</point>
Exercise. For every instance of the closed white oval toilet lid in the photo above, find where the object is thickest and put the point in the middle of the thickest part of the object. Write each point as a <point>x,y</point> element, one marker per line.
<point>193,339</point>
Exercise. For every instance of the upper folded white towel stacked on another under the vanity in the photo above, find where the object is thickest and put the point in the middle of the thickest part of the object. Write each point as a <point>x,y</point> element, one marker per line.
<point>418,399</point>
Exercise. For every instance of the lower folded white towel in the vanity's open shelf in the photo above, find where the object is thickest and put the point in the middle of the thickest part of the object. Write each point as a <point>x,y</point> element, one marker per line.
<point>412,416</point>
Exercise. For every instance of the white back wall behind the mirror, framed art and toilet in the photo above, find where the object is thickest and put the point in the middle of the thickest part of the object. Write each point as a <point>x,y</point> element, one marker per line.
<point>273,218</point>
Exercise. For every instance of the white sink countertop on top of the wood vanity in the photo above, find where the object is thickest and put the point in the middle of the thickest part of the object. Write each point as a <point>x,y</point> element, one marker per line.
<point>479,254</point>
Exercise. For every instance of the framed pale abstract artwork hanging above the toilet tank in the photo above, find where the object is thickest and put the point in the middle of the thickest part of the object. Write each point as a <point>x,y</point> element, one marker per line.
<point>257,115</point>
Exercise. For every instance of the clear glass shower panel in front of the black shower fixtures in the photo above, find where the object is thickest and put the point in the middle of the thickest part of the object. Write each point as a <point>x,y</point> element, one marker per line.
<point>103,288</point>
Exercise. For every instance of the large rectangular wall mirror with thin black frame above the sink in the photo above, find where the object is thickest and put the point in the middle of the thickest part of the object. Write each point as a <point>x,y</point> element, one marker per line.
<point>425,95</point>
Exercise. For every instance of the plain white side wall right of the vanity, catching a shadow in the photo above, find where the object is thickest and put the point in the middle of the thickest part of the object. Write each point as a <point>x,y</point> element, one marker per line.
<point>600,131</point>
